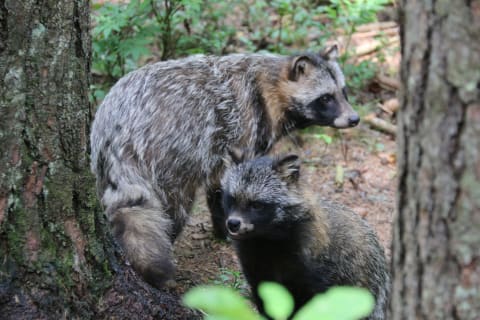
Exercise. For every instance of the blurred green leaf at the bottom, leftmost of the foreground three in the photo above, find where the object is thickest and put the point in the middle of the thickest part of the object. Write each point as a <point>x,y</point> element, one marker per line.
<point>219,303</point>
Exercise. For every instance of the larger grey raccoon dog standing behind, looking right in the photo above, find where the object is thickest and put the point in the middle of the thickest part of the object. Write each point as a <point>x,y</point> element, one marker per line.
<point>164,129</point>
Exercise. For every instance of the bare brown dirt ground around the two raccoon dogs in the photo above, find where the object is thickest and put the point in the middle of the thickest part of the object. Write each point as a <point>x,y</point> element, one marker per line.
<point>368,162</point>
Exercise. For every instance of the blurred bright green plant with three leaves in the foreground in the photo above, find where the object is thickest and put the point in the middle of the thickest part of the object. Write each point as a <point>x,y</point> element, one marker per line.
<point>338,303</point>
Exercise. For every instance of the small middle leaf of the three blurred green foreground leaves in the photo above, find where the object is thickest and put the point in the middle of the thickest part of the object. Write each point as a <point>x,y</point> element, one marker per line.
<point>277,301</point>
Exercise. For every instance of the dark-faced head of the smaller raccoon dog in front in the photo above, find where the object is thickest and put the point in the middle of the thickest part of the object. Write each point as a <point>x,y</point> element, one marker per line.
<point>260,197</point>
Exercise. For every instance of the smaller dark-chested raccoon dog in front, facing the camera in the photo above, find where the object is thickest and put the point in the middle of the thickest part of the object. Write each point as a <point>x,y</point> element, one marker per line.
<point>307,244</point>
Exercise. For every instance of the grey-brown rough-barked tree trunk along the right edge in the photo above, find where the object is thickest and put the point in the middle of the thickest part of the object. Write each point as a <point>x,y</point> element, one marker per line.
<point>436,240</point>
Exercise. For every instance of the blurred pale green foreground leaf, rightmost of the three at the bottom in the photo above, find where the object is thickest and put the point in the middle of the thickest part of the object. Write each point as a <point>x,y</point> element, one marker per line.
<point>338,303</point>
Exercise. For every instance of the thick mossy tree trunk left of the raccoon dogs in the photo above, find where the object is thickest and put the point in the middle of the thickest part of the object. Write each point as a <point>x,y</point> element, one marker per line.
<point>56,257</point>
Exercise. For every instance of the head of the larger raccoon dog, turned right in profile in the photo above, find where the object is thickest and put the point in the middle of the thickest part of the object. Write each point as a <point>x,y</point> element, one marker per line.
<point>318,90</point>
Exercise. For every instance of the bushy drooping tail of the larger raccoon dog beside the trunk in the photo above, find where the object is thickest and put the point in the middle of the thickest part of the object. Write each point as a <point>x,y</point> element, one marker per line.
<point>139,221</point>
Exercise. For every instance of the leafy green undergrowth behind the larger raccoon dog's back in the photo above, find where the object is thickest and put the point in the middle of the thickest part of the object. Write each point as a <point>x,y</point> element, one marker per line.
<point>129,34</point>
